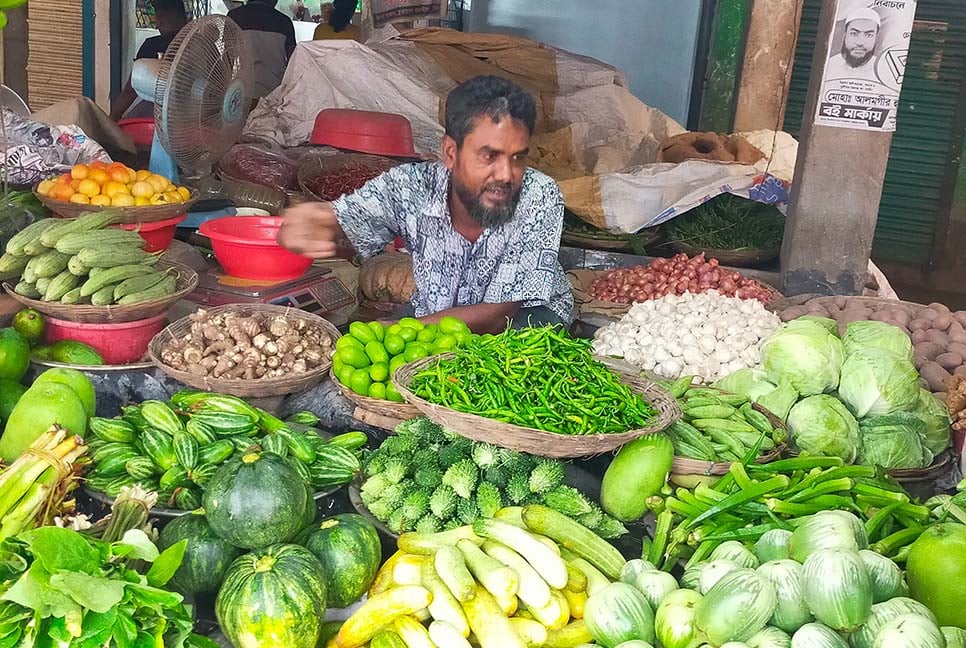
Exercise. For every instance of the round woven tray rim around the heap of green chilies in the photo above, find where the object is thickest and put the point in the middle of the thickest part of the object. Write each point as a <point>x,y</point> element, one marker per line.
<point>531,440</point>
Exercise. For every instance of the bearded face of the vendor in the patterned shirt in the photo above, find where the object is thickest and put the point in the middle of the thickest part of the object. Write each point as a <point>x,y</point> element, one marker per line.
<point>488,168</point>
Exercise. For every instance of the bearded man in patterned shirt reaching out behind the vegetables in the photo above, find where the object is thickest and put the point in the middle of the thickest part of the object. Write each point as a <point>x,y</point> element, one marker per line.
<point>483,228</point>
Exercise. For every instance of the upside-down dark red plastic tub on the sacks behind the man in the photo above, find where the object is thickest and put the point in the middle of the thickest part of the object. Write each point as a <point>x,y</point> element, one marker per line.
<point>364,131</point>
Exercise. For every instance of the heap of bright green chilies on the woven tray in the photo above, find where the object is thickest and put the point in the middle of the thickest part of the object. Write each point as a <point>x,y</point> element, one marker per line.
<point>535,377</point>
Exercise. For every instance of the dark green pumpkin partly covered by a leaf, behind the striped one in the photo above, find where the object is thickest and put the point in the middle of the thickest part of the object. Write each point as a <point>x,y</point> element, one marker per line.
<point>206,558</point>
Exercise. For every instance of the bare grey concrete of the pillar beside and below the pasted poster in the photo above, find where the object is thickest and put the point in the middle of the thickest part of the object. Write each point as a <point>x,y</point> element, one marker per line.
<point>835,195</point>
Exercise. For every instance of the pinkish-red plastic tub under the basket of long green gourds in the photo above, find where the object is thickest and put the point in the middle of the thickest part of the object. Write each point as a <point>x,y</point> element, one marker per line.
<point>119,343</point>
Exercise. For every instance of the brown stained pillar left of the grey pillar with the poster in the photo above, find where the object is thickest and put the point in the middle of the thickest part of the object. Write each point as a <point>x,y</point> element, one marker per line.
<point>767,67</point>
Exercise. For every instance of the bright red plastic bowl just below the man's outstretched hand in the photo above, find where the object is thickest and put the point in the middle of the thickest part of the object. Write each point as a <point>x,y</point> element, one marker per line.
<point>245,247</point>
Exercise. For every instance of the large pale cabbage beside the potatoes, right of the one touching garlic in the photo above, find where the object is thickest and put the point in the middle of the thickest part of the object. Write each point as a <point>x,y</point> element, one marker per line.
<point>876,382</point>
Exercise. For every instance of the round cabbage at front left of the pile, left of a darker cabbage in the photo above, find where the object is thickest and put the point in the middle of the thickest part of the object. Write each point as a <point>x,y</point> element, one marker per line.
<point>822,425</point>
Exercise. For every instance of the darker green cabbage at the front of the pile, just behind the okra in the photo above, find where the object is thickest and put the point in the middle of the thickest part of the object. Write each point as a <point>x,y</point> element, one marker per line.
<point>894,441</point>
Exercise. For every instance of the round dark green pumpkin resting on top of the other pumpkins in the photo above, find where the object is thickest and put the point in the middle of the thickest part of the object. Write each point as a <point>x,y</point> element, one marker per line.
<point>256,501</point>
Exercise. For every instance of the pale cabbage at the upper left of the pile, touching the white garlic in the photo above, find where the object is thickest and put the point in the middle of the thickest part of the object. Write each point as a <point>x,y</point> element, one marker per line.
<point>805,355</point>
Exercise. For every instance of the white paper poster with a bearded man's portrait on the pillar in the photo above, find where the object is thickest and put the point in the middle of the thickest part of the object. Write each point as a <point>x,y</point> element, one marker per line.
<point>865,65</point>
